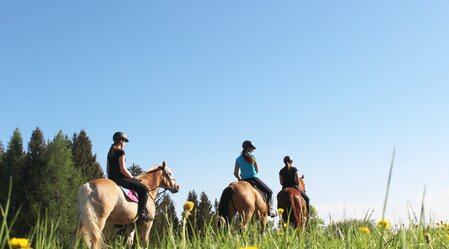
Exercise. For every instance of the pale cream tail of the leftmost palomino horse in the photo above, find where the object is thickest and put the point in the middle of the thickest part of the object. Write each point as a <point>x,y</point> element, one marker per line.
<point>88,218</point>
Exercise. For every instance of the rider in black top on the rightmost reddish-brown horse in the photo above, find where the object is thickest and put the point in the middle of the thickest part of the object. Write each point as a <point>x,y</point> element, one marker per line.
<point>289,177</point>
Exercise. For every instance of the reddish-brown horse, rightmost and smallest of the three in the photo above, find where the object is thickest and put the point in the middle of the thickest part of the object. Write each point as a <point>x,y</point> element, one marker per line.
<point>294,205</point>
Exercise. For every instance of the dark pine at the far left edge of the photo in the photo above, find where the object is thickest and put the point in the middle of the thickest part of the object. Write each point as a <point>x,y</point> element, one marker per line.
<point>12,168</point>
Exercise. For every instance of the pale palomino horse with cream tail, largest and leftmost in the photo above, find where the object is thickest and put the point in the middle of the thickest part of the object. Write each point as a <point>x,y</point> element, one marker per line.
<point>102,200</point>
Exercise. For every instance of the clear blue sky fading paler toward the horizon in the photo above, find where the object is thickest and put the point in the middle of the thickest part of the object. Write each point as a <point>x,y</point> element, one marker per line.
<point>335,84</point>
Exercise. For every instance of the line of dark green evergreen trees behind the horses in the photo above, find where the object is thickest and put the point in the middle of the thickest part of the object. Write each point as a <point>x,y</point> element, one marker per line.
<point>42,182</point>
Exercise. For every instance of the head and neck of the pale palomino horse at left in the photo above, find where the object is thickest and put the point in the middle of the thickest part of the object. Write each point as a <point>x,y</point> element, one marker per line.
<point>163,178</point>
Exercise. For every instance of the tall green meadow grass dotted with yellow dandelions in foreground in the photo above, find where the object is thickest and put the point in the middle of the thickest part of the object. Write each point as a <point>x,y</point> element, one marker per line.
<point>364,233</point>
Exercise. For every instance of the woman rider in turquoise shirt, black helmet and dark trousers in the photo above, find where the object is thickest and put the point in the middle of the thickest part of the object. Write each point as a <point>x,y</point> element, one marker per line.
<point>248,167</point>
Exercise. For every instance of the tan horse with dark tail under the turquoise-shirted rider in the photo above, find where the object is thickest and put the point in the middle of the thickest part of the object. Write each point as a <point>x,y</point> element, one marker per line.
<point>242,198</point>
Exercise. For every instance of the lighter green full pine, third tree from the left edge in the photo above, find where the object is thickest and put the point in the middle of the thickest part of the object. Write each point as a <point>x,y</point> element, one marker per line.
<point>61,186</point>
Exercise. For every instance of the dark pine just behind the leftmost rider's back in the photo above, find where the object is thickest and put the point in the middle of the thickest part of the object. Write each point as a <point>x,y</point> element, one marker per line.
<point>83,157</point>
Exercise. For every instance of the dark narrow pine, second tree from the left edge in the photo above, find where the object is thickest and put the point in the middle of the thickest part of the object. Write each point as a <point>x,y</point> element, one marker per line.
<point>34,164</point>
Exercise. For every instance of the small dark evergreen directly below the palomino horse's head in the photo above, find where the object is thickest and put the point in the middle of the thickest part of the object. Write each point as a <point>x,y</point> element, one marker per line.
<point>165,219</point>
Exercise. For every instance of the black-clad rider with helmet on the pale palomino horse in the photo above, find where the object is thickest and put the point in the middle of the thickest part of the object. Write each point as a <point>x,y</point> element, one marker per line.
<point>117,172</point>
